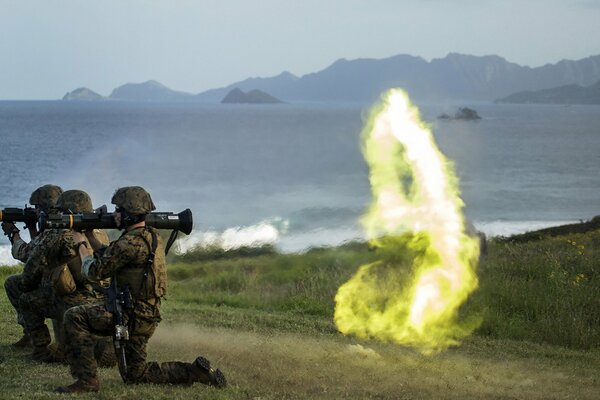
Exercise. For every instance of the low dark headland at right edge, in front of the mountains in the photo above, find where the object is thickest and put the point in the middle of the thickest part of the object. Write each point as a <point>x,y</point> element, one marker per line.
<point>568,94</point>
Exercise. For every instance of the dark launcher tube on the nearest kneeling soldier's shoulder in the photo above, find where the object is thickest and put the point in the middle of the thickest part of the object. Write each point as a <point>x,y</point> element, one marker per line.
<point>101,219</point>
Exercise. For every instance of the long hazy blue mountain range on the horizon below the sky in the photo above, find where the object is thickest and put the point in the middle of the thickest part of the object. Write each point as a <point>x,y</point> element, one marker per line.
<point>454,77</point>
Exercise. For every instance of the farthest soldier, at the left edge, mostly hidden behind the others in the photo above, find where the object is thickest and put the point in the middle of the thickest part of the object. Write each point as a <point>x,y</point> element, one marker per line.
<point>44,200</point>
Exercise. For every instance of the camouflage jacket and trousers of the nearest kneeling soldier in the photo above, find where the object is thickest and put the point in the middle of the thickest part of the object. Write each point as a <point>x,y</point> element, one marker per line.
<point>126,259</point>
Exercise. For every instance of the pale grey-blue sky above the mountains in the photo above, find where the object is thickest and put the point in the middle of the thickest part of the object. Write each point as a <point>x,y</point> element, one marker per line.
<point>49,47</point>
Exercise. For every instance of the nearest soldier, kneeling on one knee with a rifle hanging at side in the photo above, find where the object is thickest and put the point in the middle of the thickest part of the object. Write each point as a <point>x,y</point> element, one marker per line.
<point>136,262</point>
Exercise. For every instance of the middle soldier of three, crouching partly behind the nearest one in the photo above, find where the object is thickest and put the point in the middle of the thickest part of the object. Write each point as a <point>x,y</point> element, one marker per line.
<point>52,282</point>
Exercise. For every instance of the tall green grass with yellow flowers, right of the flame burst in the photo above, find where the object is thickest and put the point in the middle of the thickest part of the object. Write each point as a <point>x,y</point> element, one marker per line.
<point>546,291</point>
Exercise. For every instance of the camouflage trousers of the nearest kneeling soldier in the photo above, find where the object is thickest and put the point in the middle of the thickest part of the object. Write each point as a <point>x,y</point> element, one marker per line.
<point>83,321</point>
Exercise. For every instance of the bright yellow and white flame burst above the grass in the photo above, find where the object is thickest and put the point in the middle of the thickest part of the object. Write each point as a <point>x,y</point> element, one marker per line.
<point>427,266</point>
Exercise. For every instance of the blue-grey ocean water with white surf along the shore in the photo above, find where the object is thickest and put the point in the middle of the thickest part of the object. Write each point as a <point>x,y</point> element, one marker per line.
<point>293,174</point>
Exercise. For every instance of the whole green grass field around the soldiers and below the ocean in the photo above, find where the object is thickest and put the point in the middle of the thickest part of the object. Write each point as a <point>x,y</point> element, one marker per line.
<point>265,319</point>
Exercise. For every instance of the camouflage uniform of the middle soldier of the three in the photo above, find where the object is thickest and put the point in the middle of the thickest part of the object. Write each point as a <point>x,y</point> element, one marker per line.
<point>39,300</point>
